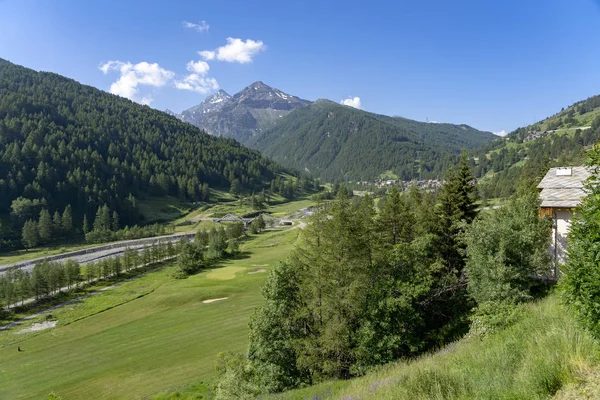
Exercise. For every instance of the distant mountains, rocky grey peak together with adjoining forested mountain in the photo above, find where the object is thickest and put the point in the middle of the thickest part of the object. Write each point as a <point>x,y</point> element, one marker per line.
<point>329,140</point>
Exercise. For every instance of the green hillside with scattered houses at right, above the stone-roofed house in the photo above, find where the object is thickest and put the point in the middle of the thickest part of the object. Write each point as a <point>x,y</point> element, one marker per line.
<point>528,152</point>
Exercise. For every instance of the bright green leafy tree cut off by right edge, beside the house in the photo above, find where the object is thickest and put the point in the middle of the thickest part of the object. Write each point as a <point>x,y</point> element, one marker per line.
<point>581,275</point>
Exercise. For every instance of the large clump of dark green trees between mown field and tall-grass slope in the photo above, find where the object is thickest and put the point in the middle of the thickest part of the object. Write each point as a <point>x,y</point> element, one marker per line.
<point>363,289</point>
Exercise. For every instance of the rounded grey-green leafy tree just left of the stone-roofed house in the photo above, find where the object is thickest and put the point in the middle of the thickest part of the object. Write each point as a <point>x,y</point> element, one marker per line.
<point>505,250</point>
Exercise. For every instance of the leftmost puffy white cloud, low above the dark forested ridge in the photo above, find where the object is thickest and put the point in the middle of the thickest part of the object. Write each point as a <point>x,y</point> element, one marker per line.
<point>134,75</point>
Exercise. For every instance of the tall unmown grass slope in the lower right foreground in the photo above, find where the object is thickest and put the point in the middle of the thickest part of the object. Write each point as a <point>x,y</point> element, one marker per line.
<point>542,353</point>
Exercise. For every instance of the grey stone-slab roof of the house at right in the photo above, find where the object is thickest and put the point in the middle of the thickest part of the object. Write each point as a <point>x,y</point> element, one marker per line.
<point>563,187</point>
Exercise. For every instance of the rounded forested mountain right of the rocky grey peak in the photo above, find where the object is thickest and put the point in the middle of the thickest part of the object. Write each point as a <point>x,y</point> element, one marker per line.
<point>336,142</point>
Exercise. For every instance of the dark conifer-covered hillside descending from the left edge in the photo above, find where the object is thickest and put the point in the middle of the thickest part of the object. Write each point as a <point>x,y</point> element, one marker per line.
<point>67,148</point>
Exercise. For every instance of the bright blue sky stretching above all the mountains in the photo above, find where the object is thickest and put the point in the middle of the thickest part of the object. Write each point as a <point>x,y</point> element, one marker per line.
<point>495,65</point>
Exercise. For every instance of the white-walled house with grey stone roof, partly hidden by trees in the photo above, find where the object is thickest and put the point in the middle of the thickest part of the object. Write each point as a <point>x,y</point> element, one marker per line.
<point>561,192</point>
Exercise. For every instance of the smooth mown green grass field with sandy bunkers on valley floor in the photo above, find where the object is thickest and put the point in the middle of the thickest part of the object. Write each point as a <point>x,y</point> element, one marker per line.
<point>145,336</point>
